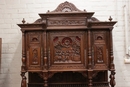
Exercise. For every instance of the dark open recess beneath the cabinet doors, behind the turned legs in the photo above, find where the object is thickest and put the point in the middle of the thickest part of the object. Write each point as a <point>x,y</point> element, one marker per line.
<point>70,79</point>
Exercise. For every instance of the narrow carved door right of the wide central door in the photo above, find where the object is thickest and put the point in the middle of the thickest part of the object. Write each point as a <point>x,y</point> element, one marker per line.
<point>100,49</point>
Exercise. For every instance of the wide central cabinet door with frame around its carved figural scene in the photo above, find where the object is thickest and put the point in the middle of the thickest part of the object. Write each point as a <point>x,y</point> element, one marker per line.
<point>67,50</point>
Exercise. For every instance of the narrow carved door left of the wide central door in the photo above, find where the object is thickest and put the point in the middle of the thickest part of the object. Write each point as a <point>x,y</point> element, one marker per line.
<point>34,50</point>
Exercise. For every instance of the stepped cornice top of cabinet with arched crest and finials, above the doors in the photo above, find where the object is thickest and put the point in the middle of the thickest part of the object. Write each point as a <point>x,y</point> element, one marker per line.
<point>66,16</point>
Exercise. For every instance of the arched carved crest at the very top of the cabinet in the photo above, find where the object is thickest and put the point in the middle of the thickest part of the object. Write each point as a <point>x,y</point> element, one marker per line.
<point>66,7</point>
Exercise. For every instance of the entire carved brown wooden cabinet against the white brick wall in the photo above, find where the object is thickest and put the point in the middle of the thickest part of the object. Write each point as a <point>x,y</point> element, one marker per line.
<point>67,47</point>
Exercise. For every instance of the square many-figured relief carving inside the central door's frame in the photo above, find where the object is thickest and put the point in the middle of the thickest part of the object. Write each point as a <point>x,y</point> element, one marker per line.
<point>67,49</point>
